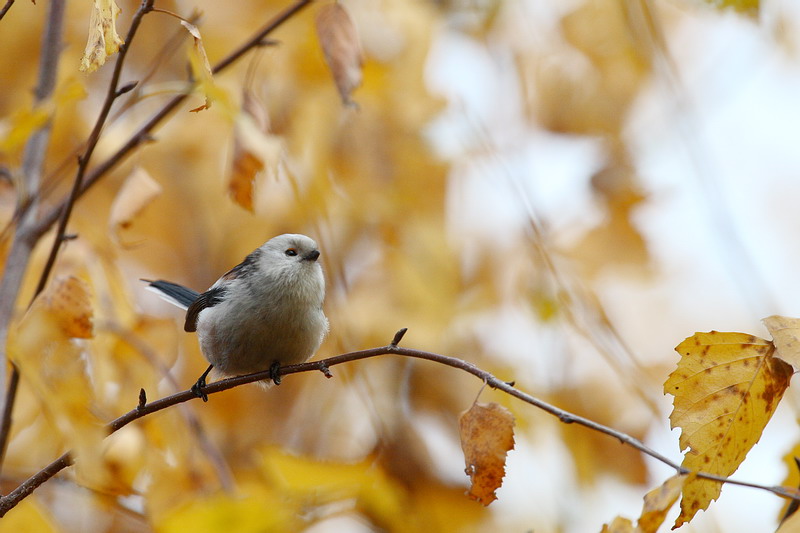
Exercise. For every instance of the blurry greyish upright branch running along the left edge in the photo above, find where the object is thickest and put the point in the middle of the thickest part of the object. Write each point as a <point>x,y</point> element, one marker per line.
<point>32,164</point>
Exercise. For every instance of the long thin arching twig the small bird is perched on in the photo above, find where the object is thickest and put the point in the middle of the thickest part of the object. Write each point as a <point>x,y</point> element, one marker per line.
<point>26,488</point>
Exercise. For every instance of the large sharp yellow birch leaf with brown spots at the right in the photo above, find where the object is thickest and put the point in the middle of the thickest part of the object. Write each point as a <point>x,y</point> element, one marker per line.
<point>726,388</point>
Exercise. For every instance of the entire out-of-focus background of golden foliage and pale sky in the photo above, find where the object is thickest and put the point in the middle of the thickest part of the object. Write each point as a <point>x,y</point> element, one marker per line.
<point>556,191</point>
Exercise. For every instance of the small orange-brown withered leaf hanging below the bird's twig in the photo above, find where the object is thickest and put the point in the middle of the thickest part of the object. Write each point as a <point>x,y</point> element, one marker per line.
<point>487,434</point>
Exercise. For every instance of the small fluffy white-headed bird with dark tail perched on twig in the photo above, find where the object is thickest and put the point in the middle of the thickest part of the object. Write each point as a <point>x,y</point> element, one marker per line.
<point>263,313</point>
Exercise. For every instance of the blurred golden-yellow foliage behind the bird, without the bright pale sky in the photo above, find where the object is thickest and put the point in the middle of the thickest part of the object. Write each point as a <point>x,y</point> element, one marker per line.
<point>272,148</point>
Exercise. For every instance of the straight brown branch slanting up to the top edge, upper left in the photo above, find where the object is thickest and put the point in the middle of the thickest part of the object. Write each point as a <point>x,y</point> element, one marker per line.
<point>143,134</point>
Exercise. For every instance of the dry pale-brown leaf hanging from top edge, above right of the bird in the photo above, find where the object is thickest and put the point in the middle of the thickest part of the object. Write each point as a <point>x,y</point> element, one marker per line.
<point>339,39</point>
